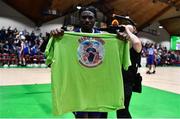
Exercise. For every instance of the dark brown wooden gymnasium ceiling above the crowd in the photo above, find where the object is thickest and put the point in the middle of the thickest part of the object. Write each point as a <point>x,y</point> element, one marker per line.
<point>143,12</point>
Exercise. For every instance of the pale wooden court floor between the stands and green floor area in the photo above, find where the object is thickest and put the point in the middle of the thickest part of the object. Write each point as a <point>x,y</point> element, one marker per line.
<point>165,78</point>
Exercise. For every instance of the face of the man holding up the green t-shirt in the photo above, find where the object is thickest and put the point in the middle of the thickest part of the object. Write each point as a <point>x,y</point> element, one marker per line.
<point>87,20</point>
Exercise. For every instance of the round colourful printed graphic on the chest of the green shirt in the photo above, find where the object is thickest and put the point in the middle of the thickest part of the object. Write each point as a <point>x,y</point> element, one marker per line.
<point>90,51</point>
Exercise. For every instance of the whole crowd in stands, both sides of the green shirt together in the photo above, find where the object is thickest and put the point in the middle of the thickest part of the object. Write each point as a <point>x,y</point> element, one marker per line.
<point>22,48</point>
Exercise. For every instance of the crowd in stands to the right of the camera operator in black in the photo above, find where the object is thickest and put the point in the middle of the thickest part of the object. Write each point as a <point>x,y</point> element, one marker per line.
<point>163,57</point>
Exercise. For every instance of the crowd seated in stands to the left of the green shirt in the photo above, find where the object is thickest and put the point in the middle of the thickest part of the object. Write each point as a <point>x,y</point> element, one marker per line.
<point>21,48</point>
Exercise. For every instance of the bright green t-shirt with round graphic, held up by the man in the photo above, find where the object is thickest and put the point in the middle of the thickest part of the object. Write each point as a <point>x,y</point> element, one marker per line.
<point>86,72</point>
